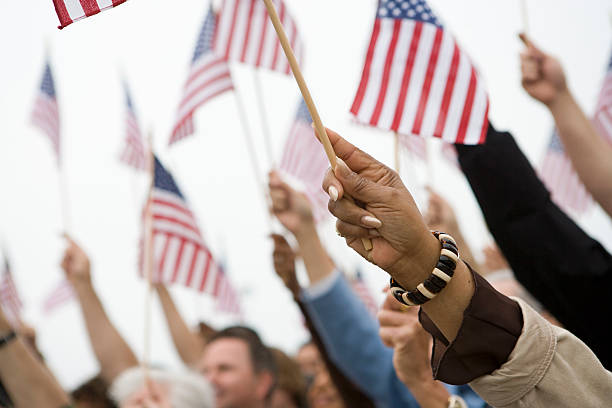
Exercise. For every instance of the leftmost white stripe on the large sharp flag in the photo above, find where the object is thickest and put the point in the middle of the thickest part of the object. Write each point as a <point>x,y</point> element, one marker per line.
<point>377,67</point>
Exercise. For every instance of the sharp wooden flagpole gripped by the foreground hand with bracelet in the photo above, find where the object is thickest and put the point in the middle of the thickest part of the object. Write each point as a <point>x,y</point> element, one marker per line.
<point>299,78</point>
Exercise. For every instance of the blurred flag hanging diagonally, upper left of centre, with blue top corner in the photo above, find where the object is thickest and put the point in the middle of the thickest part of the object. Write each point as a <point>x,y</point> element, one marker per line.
<point>209,76</point>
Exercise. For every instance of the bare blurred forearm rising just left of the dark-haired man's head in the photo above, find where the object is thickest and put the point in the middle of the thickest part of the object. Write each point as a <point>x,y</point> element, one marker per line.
<point>188,344</point>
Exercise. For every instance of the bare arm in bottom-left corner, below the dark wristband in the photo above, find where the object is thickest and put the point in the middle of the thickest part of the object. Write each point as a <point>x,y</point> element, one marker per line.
<point>26,380</point>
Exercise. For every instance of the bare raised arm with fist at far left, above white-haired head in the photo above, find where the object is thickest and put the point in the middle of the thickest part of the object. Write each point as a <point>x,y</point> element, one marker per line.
<point>112,352</point>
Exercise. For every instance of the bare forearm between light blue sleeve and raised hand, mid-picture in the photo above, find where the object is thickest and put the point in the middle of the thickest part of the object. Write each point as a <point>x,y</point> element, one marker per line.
<point>316,259</point>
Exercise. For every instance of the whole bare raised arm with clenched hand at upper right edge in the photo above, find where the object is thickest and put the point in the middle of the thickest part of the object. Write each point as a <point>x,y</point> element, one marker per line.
<point>591,155</point>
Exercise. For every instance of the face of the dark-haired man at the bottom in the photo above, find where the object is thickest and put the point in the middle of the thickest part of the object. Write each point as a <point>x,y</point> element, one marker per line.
<point>227,365</point>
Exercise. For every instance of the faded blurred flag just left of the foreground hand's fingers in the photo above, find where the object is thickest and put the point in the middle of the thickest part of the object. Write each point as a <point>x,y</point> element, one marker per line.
<point>305,161</point>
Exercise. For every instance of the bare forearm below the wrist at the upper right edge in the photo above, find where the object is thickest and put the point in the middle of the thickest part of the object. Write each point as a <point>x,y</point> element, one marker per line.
<point>590,154</point>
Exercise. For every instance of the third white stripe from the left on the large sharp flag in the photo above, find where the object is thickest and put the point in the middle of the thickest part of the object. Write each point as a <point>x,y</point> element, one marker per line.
<point>419,71</point>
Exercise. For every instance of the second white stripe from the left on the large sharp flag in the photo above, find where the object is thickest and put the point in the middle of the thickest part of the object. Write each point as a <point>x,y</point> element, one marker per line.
<point>396,74</point>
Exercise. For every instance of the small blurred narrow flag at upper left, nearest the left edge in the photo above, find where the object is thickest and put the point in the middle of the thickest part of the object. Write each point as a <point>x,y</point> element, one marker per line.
<point>45,114</point>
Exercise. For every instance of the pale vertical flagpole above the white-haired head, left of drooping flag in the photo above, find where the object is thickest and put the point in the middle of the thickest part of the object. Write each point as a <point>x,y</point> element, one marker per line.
<point>148,262</point>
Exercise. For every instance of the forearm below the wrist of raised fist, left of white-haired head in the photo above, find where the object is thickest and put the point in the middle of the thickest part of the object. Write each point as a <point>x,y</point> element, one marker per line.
<point>112,352</point>
